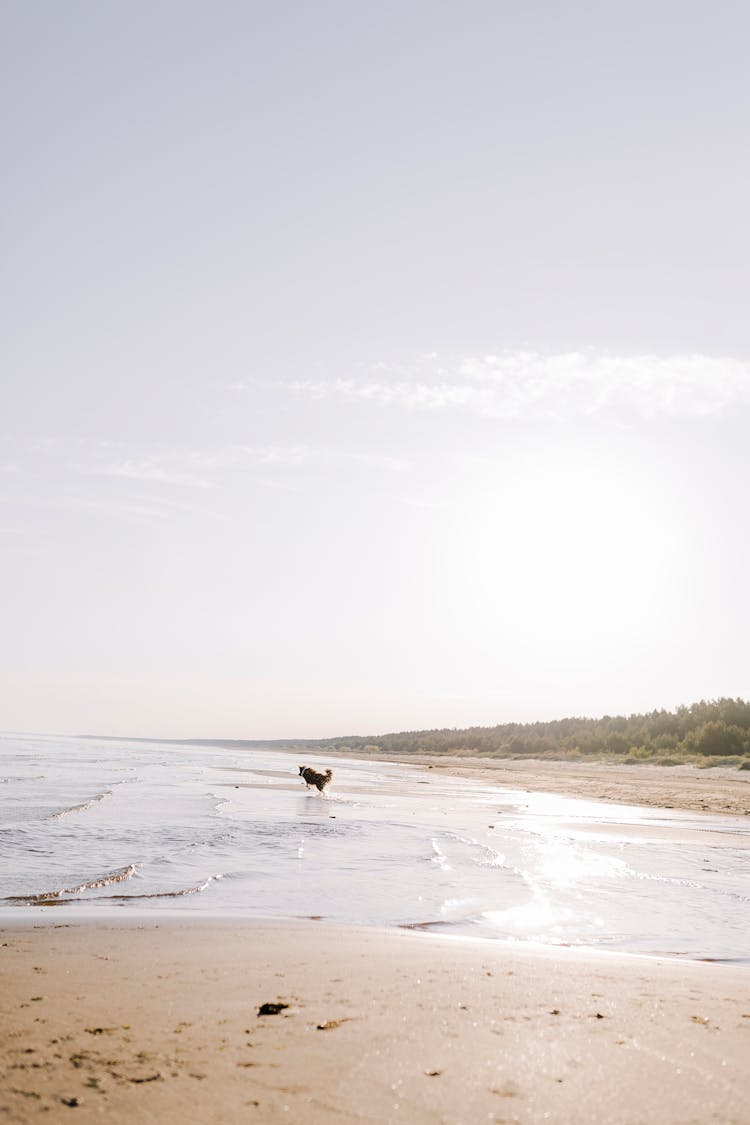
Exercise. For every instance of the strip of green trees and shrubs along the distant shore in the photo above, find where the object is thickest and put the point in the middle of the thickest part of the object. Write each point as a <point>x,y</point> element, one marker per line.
<point>708,734</point>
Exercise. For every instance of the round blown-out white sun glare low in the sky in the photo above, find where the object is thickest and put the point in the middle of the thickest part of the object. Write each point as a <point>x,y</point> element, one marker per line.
<point>568,551</point>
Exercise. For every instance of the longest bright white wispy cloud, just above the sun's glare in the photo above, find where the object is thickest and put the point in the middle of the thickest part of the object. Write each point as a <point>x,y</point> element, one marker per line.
<point>528,384</point>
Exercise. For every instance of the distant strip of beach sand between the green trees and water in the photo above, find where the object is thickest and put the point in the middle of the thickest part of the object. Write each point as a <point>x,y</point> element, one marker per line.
<point>719,790</point>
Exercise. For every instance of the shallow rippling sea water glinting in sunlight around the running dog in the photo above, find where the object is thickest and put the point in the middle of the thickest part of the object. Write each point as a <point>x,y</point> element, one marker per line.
<point>104,826</point>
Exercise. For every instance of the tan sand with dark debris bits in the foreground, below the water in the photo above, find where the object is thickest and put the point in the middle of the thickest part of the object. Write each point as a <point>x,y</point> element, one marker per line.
<point>160,1023</point>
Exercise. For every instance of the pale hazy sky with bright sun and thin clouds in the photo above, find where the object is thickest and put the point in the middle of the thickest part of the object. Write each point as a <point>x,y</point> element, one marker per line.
<point>372,367</point>
